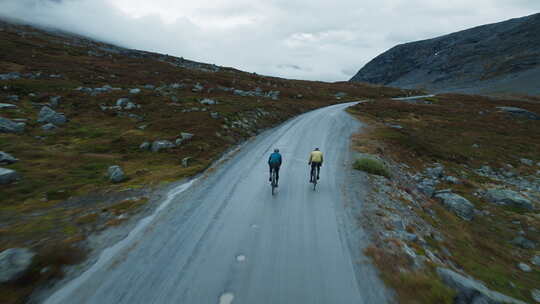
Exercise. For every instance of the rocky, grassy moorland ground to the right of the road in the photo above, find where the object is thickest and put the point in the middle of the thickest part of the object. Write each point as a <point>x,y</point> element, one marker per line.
<point>458,222</point>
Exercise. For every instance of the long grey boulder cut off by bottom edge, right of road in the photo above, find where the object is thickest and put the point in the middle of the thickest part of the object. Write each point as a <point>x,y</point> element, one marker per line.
<point>472,291</point>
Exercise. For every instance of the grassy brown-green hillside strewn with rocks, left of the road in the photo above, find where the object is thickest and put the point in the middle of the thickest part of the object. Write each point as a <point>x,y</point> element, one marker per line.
<point>89,131</point>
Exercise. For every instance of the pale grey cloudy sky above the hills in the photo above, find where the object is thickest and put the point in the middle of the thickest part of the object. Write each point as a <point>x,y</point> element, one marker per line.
<point>301,39</point>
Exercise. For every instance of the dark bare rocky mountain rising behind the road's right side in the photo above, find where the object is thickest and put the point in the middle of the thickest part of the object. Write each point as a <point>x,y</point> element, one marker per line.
<point>495,58</point>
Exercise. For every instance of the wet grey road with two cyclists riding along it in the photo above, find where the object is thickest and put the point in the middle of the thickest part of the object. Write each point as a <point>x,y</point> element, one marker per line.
<point>225,239</point>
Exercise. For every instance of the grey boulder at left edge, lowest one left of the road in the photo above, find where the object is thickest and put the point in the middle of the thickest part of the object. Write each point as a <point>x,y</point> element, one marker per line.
<point>14,262</point>
